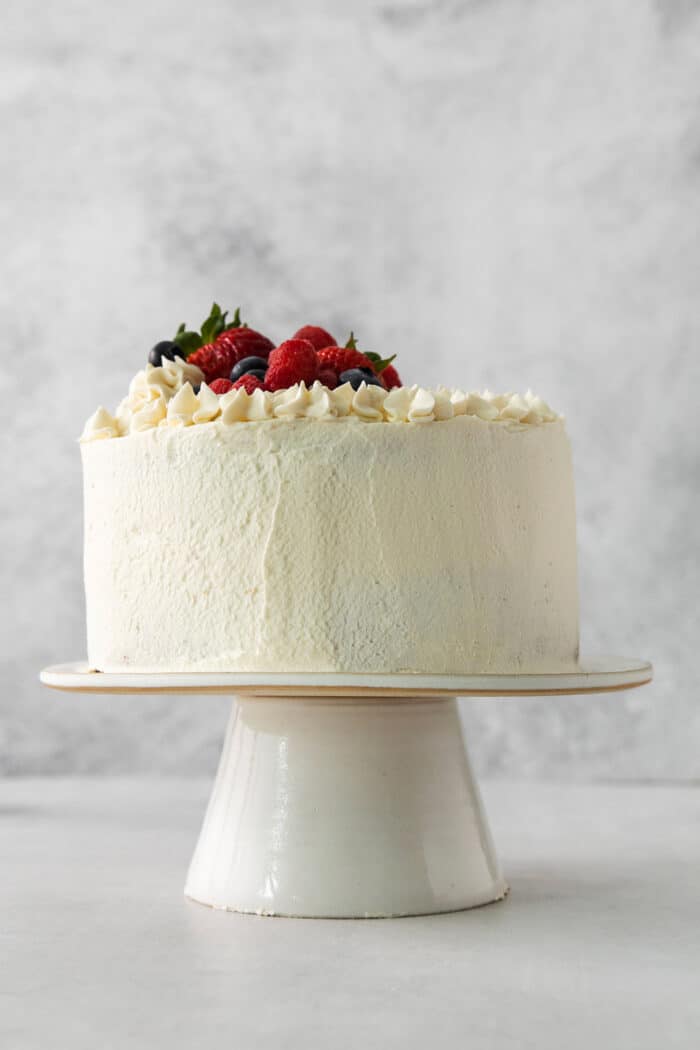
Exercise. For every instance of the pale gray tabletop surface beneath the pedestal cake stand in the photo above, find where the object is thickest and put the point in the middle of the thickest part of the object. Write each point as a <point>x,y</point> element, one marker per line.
<point>598,946</point>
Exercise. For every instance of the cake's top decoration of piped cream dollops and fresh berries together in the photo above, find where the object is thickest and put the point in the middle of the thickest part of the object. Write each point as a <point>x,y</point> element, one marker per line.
<point>229,373</point>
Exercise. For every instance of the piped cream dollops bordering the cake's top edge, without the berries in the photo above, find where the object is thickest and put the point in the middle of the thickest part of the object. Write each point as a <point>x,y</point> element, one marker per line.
<point>165,397</point>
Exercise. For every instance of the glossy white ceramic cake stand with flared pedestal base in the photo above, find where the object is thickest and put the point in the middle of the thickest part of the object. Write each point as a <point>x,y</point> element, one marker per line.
<point>348,795</point>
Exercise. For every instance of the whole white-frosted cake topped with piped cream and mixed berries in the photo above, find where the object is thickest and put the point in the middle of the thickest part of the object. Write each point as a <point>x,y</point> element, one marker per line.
<point>307,512</point>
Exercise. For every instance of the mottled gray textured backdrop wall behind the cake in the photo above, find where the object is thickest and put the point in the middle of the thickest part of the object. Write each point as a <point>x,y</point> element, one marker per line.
<point>505,194</point>
